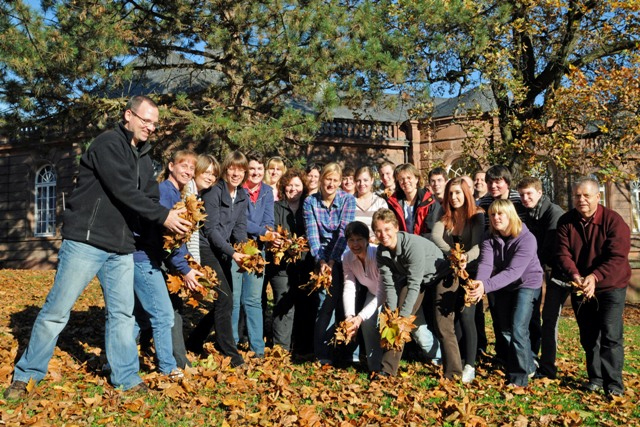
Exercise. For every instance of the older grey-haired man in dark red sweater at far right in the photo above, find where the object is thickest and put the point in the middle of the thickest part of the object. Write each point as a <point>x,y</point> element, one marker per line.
<point>593,246</point>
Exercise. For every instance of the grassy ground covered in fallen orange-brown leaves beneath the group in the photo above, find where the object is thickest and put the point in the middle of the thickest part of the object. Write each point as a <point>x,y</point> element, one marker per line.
<point>277,392</point>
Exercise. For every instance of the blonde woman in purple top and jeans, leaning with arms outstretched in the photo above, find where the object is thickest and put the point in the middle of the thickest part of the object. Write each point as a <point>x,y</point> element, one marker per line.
<point>509,267</point>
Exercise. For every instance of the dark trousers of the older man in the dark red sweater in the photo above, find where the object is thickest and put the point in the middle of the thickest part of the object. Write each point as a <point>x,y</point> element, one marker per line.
<point>601,335</point>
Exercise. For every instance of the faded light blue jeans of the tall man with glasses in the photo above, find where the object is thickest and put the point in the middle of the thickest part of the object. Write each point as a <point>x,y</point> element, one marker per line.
<point>78,264</point>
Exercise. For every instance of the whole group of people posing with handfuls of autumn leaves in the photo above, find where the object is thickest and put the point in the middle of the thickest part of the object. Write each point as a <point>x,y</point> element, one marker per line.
<point>381,246</point>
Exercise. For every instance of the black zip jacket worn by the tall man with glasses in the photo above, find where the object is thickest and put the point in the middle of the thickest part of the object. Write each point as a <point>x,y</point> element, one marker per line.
<point>115,189</point>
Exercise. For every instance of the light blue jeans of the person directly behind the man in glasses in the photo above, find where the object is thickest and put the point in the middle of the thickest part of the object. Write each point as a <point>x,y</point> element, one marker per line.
<point>152,293</point>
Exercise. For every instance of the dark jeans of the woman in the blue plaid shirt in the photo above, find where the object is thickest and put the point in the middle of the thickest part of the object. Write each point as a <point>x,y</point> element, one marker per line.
<point>327,317</point>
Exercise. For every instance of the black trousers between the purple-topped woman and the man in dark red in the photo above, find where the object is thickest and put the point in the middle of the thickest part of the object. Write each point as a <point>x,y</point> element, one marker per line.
<point>554,298</point>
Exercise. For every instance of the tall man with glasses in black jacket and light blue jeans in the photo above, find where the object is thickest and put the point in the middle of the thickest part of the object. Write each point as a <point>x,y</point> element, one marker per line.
<point>114,191</point>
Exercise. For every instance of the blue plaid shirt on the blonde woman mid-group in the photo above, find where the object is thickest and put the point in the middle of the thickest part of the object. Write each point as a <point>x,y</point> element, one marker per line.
<point>325,225</point>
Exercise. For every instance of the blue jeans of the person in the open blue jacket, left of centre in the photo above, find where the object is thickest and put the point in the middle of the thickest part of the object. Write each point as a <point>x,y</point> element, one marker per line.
<point>247,291</point>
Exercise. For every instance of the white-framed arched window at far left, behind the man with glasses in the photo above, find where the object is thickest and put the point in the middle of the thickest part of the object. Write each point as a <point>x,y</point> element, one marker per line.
<point>45,202</point>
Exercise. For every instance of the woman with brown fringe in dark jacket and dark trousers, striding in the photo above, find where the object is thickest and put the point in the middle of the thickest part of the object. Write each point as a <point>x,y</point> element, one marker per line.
<point>226,223</point>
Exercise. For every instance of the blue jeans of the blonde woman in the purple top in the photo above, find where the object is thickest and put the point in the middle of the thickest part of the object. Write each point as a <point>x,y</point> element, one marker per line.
<point>513,309</point>
